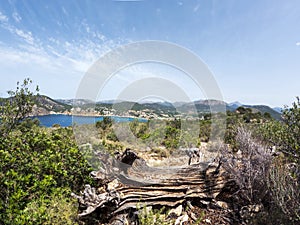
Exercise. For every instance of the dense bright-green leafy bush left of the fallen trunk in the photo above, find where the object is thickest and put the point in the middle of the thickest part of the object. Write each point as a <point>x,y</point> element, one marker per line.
<point>33,164</point>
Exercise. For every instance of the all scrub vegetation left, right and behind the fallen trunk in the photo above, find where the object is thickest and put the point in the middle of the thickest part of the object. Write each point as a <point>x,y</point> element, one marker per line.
<point>40,167</point>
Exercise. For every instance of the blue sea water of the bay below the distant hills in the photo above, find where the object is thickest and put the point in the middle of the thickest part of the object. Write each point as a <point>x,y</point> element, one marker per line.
<point>69,120</point>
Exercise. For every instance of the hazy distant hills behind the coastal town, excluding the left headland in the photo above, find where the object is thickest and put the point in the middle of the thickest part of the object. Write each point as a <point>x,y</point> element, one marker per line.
<point>166,108</point>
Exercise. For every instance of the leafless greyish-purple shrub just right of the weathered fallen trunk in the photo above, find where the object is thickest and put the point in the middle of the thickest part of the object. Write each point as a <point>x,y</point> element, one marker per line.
<point>249,168</point>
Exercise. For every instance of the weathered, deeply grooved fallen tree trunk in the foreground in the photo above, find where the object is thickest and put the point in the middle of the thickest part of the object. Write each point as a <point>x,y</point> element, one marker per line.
<point>128,183</point>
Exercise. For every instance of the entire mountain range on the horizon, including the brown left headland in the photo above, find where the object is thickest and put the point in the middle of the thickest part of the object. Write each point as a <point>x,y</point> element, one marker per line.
<point>46,105</point>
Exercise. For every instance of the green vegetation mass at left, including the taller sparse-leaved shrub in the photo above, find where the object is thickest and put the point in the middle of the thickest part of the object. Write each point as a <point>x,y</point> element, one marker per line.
<point>39,167</point>
